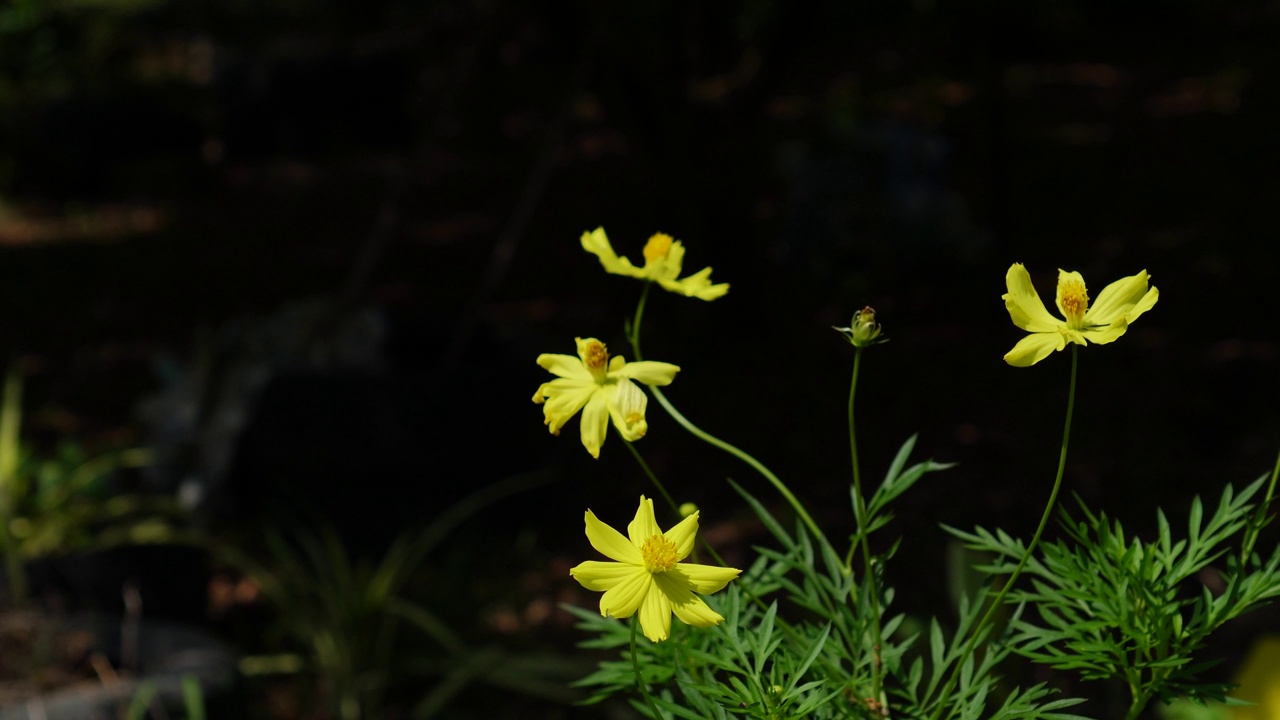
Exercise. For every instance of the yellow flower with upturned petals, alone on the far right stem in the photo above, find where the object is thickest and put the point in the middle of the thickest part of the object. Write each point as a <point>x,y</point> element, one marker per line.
<point>1118,306</point>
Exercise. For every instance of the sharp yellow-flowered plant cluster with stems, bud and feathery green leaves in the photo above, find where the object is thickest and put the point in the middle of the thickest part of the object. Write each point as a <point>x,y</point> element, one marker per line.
<point>810,630</point>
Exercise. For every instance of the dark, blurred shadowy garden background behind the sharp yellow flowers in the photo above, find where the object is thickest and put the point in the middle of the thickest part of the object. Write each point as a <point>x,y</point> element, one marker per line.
<point>276,275</point>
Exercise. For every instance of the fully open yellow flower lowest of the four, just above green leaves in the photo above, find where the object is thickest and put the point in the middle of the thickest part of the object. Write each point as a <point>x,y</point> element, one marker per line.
<point>648,575</point>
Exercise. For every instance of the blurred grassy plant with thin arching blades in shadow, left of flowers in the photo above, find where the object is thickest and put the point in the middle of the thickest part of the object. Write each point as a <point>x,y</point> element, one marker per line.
<point>358,634</point>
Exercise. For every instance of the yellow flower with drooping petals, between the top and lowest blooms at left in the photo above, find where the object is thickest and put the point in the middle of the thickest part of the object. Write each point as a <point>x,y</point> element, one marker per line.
<point>601,389</point>
